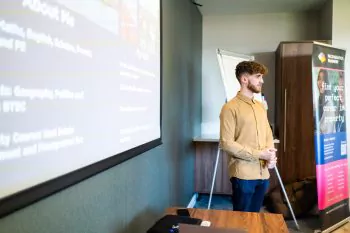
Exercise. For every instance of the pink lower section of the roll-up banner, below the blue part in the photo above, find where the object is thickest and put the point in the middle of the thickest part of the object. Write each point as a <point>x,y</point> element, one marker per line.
<point>332,183</point>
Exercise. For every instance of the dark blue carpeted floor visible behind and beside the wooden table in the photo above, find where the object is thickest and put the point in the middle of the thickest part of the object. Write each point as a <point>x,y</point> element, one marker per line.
<point>221,202</point>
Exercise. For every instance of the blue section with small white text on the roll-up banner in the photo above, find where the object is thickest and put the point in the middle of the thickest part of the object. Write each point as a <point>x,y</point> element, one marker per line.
<point>330,148</point>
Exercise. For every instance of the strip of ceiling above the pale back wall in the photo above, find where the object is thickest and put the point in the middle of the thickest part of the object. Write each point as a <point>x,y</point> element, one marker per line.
<point>232,7</point>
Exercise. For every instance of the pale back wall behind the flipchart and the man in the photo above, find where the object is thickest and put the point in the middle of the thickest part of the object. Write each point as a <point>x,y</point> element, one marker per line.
<point>257,35</point>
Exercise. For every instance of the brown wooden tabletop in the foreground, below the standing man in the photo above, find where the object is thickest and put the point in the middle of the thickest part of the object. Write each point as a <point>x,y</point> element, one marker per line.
<point>253,222</point>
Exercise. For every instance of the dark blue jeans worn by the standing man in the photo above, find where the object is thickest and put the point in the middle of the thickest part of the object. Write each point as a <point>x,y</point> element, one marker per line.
<point>248,195</point>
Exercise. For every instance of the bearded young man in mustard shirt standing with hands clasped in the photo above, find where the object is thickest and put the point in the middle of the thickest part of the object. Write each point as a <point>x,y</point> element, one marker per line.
<point>246,136</point>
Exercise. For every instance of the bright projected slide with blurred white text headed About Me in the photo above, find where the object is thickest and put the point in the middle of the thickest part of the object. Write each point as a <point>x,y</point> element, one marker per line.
<point>79,82</point>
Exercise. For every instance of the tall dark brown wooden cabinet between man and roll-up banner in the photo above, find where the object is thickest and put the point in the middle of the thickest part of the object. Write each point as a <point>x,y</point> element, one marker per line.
<point>294,124</point>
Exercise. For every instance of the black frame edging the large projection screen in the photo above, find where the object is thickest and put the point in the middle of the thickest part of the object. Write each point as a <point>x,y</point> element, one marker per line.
<point>38,192</point>
